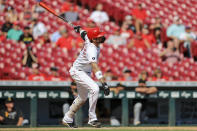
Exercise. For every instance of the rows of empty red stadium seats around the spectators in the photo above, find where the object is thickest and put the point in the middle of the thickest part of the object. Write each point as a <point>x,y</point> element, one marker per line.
<point>115,58</point>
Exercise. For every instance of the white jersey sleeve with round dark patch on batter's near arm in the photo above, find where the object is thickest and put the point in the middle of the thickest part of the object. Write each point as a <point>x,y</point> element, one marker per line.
<point>92,54</point>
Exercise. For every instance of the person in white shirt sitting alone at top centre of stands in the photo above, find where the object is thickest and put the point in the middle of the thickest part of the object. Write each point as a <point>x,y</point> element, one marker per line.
<point>99,16</point>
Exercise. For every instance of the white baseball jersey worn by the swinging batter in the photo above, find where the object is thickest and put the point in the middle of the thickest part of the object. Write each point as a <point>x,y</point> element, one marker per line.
<point>88,54</point>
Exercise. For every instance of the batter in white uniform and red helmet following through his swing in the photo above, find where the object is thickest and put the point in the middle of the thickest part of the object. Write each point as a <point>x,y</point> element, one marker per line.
<point>81,73</point>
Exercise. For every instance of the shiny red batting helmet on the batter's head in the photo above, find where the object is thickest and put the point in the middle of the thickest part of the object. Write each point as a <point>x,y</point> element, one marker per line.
<point>94,33</point>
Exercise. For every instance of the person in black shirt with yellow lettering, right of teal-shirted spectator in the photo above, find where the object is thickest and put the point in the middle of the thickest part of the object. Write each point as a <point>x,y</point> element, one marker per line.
<point>26,37</point>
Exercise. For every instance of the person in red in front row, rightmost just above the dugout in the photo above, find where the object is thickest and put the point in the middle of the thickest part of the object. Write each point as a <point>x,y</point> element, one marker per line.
<point>158,76</point>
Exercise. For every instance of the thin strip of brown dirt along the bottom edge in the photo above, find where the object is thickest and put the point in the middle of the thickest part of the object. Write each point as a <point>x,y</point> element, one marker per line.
<point>104,129</point>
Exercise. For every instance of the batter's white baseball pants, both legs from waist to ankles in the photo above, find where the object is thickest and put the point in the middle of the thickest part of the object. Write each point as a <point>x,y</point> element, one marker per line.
<point>85,84</point>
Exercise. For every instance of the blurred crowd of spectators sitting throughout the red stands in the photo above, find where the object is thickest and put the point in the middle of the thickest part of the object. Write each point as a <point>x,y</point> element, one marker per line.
<point>133,32</point>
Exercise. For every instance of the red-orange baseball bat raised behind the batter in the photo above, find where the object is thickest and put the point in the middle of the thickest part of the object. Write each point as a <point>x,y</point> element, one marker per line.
<point>42,4</point>
